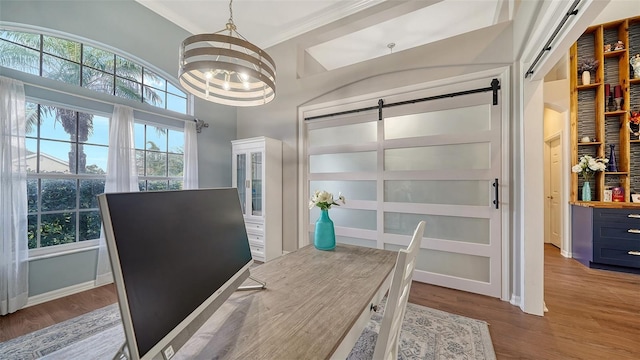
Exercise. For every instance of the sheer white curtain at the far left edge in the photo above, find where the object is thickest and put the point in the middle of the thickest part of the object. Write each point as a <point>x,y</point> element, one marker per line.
<point>14,255</point>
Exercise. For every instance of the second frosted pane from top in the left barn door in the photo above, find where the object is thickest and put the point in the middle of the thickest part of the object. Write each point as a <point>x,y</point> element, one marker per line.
<point>345,162</point>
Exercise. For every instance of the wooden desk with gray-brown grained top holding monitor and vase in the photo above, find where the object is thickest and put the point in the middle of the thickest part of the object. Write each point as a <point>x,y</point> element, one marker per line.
<point>315,306</point>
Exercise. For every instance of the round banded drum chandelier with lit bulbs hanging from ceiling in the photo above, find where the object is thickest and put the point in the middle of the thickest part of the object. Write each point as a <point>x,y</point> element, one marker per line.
<point>227,69</point>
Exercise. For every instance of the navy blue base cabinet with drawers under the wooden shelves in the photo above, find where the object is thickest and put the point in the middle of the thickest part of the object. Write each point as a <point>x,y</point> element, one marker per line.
<point>606,238</point>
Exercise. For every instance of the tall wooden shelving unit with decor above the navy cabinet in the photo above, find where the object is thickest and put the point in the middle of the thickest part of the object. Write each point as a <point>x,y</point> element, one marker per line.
<point>591,115</point>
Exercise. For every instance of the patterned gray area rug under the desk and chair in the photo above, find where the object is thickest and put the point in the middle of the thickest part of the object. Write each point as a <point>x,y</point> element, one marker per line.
<point>426,334</point>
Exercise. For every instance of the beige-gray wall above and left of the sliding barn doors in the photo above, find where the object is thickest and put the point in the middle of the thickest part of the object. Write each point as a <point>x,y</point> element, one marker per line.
<point>484,49</point>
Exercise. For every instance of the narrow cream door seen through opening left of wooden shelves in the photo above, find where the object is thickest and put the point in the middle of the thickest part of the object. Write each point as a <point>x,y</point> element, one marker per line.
<point>555,213</point>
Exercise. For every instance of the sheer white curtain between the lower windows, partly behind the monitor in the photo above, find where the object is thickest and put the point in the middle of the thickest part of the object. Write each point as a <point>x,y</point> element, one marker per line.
<point>122,174</point>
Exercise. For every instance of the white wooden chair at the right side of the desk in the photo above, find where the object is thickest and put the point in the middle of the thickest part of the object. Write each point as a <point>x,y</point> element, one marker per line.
<point>389,335</point>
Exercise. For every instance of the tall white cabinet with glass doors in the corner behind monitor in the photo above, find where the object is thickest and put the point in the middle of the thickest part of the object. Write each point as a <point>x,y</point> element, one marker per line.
<point>257,174</point>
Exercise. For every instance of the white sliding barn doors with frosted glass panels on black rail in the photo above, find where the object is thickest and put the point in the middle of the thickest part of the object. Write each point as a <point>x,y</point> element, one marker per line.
<point>435,161</point>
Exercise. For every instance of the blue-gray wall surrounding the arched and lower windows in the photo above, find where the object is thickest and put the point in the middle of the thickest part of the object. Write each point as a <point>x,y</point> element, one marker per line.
<point>131,29</point>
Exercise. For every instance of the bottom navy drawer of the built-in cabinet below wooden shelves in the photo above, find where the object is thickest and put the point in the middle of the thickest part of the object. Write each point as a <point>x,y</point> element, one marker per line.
<point>617,252</point>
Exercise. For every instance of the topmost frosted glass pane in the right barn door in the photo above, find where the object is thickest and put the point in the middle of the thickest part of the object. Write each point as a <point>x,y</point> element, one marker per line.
<point>451,121</point>
